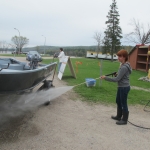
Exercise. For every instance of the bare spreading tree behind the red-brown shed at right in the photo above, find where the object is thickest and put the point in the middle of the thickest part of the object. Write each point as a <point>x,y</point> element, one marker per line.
<point>138,36</point>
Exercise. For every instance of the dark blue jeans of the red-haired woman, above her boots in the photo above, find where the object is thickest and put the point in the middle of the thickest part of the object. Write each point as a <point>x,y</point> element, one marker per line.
<point>121,98</point>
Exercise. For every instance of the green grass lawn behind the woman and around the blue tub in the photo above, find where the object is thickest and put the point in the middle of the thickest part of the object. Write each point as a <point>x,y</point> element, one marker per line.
<point>107,91</point>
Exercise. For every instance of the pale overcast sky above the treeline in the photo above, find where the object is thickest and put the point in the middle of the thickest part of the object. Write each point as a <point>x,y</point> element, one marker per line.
<point>65,22</point>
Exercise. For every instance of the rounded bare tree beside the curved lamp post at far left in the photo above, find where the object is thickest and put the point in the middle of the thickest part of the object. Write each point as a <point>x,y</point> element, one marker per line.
<point>20,42</point>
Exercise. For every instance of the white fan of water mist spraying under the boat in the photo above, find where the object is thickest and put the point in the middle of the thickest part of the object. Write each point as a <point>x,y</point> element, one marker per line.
<point>17,105</point>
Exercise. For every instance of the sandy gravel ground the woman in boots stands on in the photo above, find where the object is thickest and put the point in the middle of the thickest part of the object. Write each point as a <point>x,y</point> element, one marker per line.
<point>70,124</point>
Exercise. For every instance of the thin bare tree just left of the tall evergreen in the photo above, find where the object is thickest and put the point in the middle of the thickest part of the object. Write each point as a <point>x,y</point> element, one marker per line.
<point>99,39</point>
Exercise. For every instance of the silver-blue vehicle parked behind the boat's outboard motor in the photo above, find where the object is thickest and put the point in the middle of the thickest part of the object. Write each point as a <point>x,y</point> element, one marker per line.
<point>33,55</point>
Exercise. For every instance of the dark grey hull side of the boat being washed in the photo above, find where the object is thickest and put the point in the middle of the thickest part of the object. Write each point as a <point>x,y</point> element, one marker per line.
<point>16,81</point>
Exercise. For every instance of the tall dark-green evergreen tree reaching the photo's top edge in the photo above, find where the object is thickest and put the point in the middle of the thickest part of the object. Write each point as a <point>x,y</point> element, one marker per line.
<point>113,31</point>
